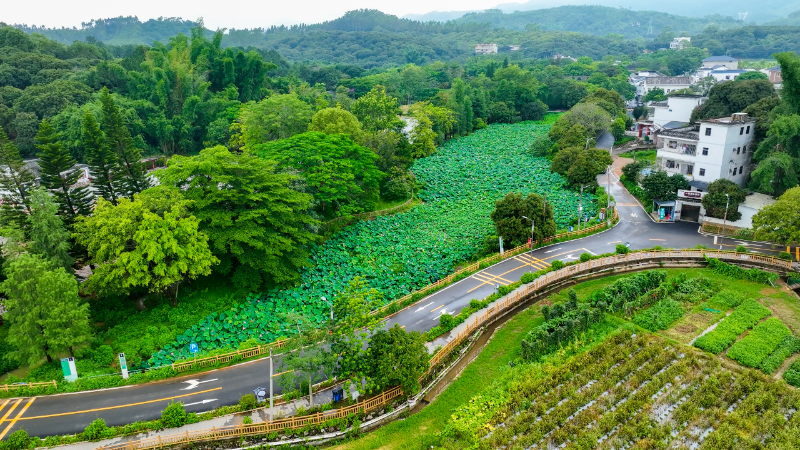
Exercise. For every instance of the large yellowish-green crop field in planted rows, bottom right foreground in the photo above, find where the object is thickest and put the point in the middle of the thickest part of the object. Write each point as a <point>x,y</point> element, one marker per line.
<point>639,392</point>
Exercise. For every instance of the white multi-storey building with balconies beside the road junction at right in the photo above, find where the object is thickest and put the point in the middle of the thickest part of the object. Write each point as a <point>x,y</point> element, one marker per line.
<point>709,150</point>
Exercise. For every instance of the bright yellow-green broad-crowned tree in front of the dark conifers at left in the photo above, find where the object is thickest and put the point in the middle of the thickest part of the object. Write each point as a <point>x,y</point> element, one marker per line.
<point>151,242</point>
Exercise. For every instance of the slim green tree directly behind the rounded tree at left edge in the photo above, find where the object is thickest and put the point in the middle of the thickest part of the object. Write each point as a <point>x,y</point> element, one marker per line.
<point>48,236</point>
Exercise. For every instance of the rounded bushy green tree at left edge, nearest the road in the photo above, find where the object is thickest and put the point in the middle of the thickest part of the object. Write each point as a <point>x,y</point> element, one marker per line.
<point>43,308</point>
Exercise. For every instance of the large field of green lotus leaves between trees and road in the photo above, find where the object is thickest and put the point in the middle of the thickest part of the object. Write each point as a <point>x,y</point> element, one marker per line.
<point>400,253</point>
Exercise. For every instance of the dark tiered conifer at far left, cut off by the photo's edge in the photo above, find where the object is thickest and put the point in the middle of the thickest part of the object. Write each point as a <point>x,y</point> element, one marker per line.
<point>15,182</point>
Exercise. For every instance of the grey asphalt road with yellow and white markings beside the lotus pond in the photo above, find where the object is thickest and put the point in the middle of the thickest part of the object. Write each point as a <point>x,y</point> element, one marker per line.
<point>71,413</point>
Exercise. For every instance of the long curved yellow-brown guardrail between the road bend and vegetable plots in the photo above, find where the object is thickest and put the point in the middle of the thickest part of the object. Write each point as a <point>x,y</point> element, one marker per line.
<point>510,301</point>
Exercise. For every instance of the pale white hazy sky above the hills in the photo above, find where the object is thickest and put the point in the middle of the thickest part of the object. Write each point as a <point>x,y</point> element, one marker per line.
<point>217,14</point>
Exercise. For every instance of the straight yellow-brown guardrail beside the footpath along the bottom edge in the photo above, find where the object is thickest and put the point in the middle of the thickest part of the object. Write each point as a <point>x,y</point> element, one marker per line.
<point>256,429</point>
